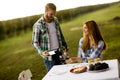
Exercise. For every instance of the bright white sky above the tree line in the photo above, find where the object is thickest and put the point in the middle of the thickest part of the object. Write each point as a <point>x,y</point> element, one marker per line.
<point>10,9</point>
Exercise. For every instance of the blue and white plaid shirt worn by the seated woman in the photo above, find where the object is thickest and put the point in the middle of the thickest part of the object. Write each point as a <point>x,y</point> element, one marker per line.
<point>92,53</point>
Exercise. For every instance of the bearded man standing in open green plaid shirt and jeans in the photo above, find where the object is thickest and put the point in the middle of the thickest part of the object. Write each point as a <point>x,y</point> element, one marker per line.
<point>47,36</point>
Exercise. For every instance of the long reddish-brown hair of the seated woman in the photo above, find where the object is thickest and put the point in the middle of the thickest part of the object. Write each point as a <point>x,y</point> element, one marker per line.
<point>95,32</point>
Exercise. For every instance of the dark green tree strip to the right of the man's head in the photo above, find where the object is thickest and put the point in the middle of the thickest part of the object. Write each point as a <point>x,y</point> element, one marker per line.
<point>65,15</point>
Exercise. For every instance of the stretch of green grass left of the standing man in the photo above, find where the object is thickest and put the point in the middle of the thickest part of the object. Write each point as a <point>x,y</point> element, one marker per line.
<point>17,54</point>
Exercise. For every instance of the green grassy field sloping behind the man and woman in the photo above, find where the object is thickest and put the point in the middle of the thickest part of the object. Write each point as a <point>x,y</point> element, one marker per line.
<point>17,53</point>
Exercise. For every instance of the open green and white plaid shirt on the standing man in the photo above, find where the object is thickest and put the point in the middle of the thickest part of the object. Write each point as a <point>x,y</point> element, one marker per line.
<point>41,38</point>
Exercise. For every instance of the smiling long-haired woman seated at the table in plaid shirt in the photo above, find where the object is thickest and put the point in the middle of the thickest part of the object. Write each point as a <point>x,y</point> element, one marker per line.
<point>91,44</point>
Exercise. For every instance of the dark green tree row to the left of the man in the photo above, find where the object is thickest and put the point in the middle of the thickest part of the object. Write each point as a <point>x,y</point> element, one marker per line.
<point>14,27</point>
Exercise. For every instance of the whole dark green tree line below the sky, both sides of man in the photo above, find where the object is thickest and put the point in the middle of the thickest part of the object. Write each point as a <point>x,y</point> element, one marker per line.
<point>15,27</point>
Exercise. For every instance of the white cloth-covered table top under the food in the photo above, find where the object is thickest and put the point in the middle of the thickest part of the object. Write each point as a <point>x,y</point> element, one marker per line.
<point>62,72</point>
